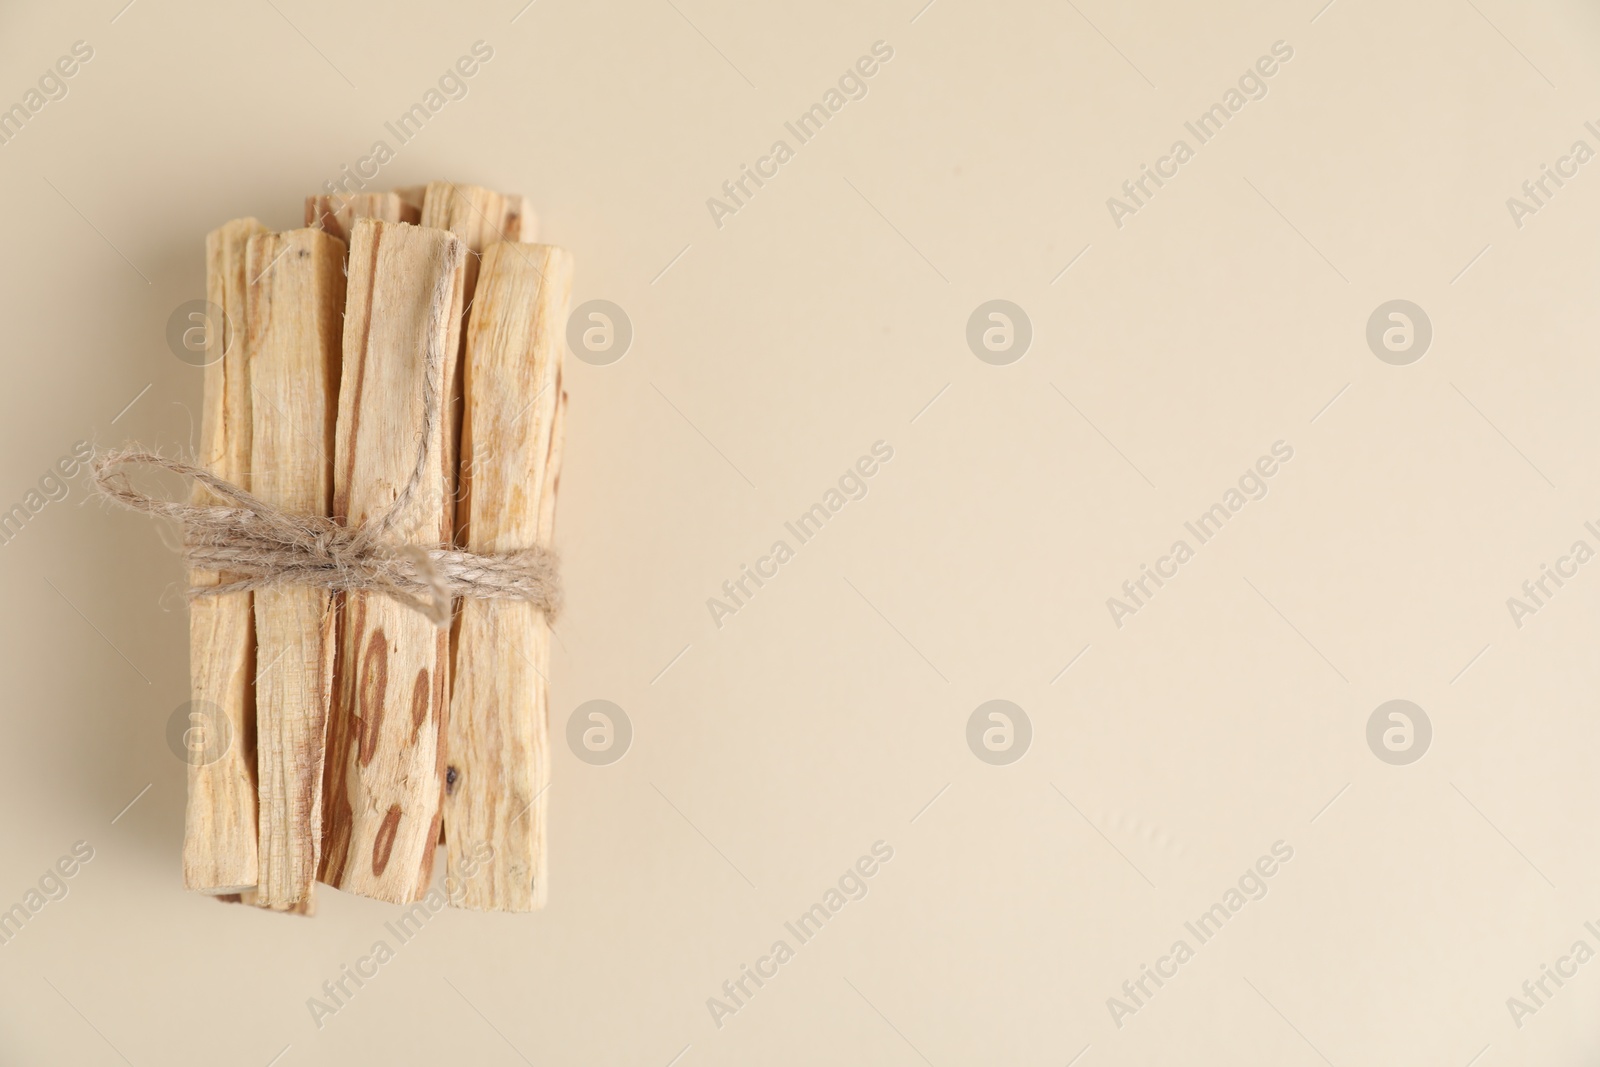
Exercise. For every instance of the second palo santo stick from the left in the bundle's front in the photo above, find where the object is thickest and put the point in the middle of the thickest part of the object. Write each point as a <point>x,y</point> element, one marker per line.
<point>295,302</point>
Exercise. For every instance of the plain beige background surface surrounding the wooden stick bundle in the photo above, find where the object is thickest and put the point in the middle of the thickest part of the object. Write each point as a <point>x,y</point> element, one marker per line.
<point>826,716</point>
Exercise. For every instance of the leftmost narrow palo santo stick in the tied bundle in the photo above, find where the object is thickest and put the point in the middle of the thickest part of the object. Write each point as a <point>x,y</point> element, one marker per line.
<point>220,821</point>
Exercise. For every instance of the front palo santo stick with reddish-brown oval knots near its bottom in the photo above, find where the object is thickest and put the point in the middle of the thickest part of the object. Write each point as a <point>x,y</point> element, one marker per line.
<point>385,759</point>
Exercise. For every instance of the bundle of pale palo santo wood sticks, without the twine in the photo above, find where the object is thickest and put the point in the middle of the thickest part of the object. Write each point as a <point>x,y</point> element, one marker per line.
<point>362,732</point>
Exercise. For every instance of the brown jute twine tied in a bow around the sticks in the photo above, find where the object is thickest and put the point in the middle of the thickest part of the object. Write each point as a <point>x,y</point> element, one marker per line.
<point>258,546</point>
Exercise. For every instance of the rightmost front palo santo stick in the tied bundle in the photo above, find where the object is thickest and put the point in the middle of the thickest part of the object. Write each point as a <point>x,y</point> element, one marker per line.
<point>498,735</point>
